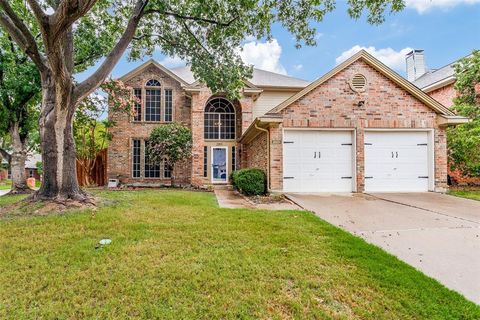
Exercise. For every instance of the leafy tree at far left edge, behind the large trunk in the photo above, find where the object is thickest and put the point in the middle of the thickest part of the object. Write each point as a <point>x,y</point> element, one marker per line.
<point>19,109</point>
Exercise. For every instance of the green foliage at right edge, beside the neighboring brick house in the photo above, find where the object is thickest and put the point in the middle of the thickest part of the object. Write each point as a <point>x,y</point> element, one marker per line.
<point>464,140</point>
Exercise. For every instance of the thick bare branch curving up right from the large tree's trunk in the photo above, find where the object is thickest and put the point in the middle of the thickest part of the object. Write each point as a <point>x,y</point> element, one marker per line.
<point>92,82</point>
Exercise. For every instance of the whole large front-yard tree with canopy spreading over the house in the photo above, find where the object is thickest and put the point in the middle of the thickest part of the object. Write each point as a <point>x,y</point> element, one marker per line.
<point>63,37</point>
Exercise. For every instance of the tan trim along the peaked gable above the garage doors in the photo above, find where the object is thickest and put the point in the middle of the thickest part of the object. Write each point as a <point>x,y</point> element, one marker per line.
<point>380,67</point>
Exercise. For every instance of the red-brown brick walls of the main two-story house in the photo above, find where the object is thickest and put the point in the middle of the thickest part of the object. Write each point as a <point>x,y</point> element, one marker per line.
<point>333,104</point>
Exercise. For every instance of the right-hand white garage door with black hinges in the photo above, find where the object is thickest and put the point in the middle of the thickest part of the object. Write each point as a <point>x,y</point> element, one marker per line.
<point>396,161</point>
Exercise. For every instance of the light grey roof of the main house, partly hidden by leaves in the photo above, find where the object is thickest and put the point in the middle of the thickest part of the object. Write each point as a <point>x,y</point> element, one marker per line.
<point>261,78</point>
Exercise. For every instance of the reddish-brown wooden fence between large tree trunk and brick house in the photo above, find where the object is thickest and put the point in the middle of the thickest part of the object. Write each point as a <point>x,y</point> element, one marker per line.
<point>98,175</point>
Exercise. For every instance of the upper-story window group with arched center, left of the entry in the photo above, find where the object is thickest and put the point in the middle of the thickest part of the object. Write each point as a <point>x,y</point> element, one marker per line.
<point>150,106</point>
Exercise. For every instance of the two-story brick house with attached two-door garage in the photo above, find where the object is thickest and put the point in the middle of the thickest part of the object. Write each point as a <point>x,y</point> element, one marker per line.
<point>360,127</point>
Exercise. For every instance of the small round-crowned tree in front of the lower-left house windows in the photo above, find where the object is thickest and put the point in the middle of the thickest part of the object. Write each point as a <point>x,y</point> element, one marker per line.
<point>171,142</point>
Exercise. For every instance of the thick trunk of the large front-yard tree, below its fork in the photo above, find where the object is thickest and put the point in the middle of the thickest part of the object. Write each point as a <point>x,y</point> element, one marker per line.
<point>57,144</point>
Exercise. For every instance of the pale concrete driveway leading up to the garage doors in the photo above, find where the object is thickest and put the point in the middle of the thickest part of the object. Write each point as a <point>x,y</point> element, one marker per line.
<point>436,233</point>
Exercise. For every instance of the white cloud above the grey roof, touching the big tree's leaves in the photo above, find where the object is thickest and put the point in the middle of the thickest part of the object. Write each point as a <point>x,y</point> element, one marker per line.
<point>263,55</point>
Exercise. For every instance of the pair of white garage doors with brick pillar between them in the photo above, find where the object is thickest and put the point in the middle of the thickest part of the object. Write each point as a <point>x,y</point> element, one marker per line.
<point>326,160</point>
